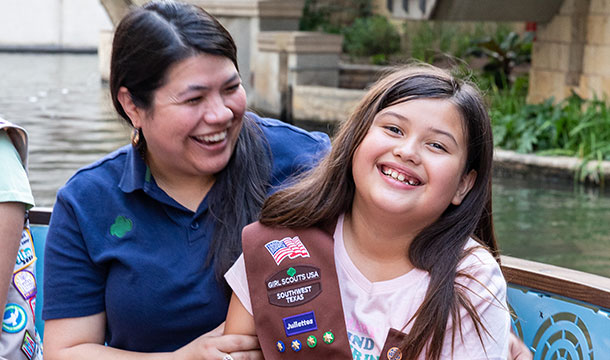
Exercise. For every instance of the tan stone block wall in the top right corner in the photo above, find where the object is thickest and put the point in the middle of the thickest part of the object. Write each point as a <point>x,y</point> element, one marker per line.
<point>571,52</point>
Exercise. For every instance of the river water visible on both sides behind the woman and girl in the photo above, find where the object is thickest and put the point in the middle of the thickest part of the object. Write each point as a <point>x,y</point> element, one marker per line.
<point>68,114</point>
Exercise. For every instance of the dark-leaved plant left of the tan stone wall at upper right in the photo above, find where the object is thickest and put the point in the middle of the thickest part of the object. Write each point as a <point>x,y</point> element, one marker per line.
<point>503,53</point>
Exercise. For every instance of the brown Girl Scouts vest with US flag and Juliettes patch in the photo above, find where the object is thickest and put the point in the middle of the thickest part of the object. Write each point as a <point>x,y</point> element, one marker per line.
<point>295,295</point>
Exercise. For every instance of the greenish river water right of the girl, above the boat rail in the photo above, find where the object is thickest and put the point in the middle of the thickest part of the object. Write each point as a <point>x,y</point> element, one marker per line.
<point>556,224</point>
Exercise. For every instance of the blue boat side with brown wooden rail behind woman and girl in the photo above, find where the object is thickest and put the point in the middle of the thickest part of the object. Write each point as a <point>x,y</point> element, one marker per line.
<point>560,314</point>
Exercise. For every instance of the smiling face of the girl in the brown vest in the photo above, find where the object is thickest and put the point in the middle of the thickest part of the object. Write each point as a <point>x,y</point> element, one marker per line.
<point>411,162</point>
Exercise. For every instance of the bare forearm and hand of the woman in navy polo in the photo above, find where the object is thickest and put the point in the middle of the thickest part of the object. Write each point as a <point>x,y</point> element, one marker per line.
<point>83,338</point>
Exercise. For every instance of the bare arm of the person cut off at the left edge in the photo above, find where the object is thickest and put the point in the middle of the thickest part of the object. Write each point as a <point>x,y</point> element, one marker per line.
<point>11,226</point>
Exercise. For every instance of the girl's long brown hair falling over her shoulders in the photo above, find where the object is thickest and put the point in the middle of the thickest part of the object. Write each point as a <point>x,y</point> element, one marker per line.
<point>328,191</point>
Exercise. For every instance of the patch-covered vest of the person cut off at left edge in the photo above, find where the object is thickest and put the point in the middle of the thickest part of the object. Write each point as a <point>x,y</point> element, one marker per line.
<point>19,339</point>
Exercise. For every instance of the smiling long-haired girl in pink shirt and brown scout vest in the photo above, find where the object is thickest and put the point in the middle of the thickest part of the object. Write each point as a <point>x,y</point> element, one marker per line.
<point>406,195</point>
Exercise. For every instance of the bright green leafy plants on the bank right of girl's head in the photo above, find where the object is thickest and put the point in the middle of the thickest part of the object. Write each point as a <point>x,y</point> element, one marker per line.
<point>573,127</point>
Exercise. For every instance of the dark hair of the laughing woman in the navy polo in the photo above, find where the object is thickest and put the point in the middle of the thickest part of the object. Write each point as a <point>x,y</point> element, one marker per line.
<point>147,42</point>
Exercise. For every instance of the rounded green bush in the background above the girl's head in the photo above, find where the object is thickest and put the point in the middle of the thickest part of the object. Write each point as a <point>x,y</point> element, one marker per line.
<point>371,36</point>
